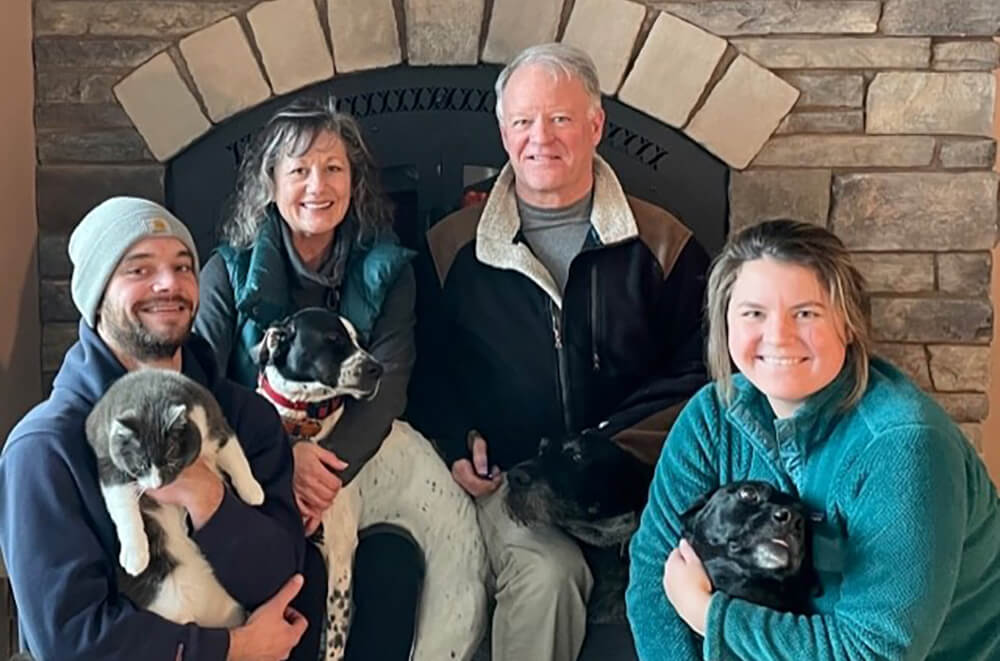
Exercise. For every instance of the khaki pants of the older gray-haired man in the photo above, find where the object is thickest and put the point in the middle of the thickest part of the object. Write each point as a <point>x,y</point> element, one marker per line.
<point>542,587</point>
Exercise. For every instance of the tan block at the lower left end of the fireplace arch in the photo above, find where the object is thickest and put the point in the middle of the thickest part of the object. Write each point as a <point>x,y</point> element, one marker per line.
<point>162,107</point>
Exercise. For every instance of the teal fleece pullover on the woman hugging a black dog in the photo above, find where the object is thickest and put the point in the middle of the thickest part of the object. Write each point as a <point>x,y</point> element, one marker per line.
<point>908,549</point>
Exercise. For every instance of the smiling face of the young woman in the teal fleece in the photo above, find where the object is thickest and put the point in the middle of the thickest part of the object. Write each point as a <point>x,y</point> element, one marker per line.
<point>784,335</point>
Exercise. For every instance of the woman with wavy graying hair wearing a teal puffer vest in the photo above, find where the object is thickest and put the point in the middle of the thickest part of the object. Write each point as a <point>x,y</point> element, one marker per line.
<point>310,227</point>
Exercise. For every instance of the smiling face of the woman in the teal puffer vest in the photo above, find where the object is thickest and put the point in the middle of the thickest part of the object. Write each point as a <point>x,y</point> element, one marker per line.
<point>313,190</point>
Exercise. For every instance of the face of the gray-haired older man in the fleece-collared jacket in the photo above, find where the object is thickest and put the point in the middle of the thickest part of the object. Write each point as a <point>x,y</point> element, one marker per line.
<point>550,130</point>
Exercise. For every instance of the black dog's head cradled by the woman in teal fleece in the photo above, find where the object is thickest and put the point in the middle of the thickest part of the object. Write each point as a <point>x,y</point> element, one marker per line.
<point>754,545</point>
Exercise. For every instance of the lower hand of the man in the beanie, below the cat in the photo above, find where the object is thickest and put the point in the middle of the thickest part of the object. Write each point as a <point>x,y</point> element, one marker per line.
<point>272,631</point>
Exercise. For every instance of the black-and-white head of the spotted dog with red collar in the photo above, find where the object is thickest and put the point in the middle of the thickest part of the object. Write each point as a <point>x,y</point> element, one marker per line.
<point>317,350</point>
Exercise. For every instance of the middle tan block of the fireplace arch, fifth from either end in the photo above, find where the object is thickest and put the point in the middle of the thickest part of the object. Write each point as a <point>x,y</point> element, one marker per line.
<point>443,31</point>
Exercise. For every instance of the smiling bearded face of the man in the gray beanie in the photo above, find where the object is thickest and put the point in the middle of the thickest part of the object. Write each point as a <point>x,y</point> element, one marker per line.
<point>150,301</point>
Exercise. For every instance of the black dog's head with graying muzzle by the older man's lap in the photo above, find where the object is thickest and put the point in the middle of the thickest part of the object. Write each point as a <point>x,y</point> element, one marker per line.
<point>582,479</point>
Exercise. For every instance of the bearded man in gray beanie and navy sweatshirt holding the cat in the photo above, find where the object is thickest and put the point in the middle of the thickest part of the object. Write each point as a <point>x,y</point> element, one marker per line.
<point>135,283</point>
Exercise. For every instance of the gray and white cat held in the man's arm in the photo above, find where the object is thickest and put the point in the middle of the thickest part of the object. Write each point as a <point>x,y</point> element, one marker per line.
<point>149,426</point>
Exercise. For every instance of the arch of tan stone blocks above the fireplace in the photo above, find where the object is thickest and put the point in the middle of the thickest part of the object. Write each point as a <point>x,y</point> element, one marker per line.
<point>223,69</point>
